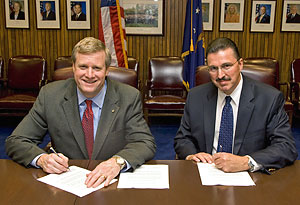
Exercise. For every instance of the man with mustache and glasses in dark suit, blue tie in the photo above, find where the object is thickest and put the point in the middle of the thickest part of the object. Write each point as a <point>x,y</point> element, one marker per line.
<point>235,122</point>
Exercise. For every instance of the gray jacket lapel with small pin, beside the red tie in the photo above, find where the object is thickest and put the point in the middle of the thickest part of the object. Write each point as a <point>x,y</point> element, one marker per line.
<point>109,112</point>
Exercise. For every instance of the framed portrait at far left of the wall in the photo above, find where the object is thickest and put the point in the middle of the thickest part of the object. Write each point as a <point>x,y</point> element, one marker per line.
<point>16,13</point>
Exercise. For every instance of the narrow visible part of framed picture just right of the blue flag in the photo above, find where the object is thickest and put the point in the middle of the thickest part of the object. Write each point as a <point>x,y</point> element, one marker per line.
<point>207,14</point>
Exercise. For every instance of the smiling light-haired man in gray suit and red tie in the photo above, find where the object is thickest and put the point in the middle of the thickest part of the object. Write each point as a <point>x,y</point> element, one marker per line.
<point>88,117</point>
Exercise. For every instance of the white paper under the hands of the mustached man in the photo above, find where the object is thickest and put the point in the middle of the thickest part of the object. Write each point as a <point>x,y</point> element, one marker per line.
<point>210,175</point>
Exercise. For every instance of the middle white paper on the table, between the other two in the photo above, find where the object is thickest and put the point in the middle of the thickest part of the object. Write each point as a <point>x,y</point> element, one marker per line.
<point>146,177</point>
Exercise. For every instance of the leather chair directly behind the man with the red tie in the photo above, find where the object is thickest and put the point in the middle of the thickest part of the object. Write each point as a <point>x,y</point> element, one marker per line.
<point>122,75</point>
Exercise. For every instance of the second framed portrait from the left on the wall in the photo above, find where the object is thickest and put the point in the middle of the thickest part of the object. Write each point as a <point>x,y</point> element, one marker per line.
<point>47,14</point>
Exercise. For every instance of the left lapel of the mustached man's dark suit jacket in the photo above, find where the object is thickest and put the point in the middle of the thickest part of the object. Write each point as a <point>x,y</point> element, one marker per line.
<point>210,117</point>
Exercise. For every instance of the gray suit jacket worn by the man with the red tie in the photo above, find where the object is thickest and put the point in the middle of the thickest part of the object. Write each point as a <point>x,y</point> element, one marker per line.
<point>122,129</point>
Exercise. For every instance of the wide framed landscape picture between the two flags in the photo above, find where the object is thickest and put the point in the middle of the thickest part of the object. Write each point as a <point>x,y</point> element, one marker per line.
<point>144,17</point>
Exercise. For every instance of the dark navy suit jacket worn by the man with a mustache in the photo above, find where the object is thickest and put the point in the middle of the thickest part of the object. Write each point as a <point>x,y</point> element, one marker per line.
<point>262,129</point>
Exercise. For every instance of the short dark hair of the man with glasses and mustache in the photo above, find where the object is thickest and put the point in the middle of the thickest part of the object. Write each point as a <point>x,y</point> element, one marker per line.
<point>222,44</point>
